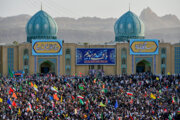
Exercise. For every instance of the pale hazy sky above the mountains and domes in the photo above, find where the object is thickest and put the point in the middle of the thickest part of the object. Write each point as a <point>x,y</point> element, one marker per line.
<point>91,8</point>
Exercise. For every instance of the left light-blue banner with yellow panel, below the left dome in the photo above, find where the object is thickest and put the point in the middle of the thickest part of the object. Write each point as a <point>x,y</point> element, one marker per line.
<point>46,47</point>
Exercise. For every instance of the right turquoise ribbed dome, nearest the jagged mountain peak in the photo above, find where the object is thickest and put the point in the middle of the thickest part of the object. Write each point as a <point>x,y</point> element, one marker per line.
<point>128,26</point>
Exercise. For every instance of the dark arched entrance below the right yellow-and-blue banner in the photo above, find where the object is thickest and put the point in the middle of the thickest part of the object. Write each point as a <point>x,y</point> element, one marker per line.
<point>143,66</point>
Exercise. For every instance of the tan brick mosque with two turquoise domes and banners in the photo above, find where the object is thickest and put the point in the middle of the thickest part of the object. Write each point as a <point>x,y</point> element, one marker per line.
<point>130,52</point>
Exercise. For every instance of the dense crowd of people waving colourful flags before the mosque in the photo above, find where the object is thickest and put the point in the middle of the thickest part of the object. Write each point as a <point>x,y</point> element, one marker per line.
<point>141,96</point>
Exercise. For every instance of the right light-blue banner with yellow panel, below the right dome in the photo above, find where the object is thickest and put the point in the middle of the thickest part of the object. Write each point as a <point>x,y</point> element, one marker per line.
<point>144,46</point>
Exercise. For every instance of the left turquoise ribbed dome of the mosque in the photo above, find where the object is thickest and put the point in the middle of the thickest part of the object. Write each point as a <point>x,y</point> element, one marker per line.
<point>41,26</point>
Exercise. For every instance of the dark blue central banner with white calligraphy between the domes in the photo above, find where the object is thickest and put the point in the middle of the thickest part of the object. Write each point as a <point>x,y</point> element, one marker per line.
<point>91,56</point>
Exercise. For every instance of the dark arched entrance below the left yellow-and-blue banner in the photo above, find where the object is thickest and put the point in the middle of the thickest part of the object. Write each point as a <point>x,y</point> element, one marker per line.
<point>47,67</point>
